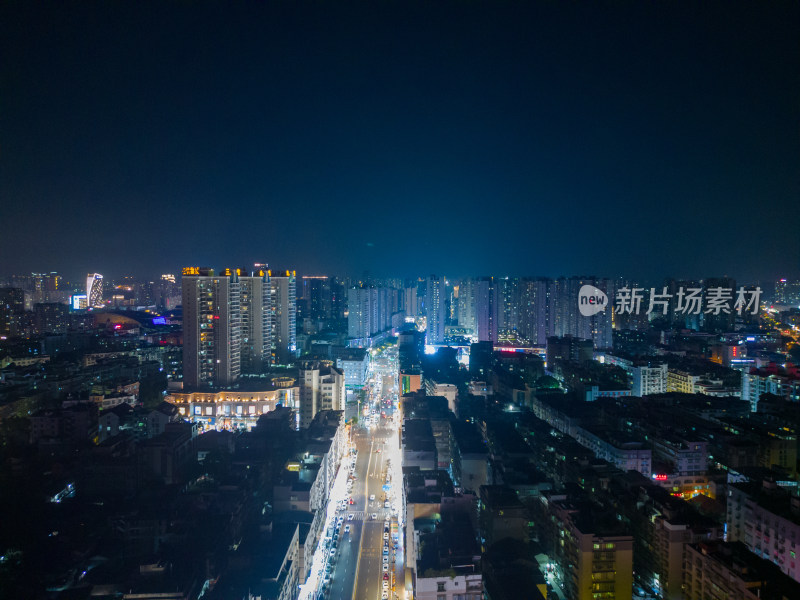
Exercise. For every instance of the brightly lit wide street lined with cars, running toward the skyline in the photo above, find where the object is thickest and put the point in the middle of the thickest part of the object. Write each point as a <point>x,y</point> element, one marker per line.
<point>362,547</point>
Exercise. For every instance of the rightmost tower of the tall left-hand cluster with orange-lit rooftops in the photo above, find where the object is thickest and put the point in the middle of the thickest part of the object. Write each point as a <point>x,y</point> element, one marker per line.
<point>283,309</point>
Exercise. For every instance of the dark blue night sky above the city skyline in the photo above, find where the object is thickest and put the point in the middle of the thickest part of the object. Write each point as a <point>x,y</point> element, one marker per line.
<point>521,138</point>
